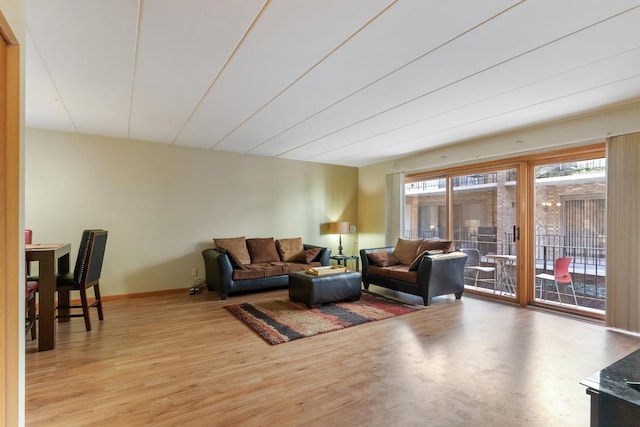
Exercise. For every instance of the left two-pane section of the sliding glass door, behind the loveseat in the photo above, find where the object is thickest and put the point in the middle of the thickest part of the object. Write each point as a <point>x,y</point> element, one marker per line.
<point>477,212</point>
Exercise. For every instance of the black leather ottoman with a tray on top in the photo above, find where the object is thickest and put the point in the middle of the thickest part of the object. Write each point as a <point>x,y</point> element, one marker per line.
<point>315,290</point>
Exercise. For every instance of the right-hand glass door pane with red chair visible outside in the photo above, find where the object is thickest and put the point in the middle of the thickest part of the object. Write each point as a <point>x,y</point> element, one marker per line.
<point>570,234</point>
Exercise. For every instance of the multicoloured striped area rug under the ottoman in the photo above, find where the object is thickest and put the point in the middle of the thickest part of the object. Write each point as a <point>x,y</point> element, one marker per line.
<point>281,320</point>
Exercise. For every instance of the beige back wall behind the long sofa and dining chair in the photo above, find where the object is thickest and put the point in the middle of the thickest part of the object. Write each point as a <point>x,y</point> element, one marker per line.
<point>162,204</point>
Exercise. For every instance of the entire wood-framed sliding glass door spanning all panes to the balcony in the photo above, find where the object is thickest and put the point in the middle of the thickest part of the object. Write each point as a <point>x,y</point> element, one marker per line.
<point>534,230</point>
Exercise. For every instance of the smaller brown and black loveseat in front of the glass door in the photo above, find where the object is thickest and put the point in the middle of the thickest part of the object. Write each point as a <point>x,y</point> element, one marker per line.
<point>412,268</point>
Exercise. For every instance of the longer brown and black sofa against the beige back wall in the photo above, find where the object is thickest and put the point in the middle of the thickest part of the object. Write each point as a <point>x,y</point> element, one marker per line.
<point>241,265</point>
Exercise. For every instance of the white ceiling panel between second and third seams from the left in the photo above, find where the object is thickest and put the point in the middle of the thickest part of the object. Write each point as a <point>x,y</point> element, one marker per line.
<point>170,80</point>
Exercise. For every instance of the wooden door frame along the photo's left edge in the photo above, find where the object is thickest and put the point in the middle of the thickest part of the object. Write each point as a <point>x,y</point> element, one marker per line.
<point>11,246</point>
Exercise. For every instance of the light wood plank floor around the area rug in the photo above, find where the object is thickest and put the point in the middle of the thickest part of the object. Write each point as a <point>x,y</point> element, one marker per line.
<point>183,360</point>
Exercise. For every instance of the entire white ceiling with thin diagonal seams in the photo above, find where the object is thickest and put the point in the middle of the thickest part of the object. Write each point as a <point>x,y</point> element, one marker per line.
<point>341,82</point>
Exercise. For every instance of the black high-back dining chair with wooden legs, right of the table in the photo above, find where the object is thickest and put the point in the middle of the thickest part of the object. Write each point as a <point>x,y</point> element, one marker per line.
<point>86,274</point>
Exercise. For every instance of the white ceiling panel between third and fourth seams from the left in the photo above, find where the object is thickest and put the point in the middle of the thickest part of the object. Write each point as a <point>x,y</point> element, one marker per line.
<point>289,38</point>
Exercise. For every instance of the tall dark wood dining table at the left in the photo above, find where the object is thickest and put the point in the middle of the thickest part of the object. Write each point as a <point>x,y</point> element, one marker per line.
<point>52,259</point>
